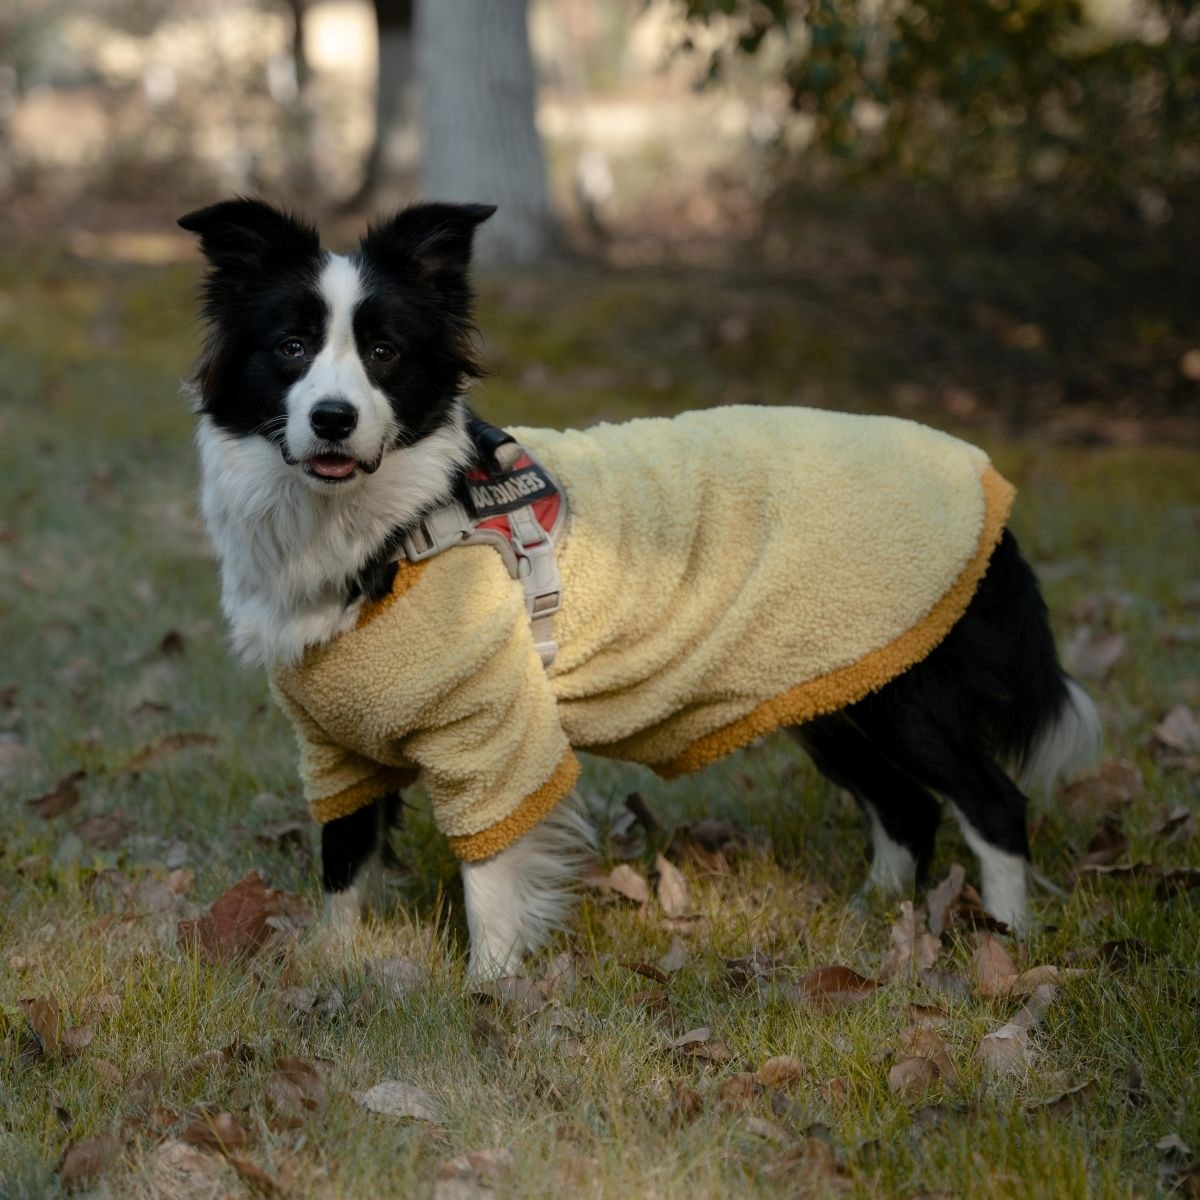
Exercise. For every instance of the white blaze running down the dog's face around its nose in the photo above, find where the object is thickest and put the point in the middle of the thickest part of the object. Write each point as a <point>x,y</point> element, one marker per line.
<point>338,374</point>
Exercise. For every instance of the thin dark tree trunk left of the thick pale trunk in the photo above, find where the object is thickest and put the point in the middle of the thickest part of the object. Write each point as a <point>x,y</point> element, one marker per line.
<point>394,147</point>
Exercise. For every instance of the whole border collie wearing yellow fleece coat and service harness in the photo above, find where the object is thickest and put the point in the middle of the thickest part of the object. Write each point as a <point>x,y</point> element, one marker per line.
<point>333,427</point>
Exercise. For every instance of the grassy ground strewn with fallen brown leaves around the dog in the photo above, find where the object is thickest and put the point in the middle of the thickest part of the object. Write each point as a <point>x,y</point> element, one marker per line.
<point>131,1045</point>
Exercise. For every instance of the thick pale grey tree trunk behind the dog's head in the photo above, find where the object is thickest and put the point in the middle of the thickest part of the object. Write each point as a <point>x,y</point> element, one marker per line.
<point>479,142</point>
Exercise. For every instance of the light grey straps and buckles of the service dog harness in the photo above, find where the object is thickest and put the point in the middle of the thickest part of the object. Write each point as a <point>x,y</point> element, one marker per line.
<point>530,554</point>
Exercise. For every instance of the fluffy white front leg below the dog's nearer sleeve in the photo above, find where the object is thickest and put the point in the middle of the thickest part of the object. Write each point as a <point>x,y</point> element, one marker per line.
<point>515,899</point>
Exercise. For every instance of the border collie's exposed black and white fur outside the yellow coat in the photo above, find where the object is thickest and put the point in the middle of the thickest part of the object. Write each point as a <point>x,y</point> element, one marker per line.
<point>332,416</point>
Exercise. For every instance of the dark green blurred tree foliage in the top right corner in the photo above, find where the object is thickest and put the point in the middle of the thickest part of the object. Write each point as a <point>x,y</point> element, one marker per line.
<point>1097,104</point>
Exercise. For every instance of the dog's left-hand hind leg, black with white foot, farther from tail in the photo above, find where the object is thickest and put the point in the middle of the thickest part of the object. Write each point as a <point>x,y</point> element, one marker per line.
<point>903,814</point>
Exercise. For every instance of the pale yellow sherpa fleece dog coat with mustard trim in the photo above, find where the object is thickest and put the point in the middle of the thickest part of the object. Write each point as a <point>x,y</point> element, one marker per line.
<point>725,573</point>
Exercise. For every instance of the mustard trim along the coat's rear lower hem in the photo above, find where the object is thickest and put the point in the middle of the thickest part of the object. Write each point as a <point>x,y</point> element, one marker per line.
<point>838,689</point>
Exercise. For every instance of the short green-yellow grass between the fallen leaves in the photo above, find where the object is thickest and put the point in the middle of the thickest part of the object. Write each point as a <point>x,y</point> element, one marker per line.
<point>101,556</point>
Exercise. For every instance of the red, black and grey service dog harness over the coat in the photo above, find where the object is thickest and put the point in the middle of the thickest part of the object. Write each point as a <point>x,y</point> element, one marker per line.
<point>515,508</point>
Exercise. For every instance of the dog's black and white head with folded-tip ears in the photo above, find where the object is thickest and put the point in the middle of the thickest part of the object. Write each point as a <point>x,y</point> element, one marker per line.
<point>334,359</point>
